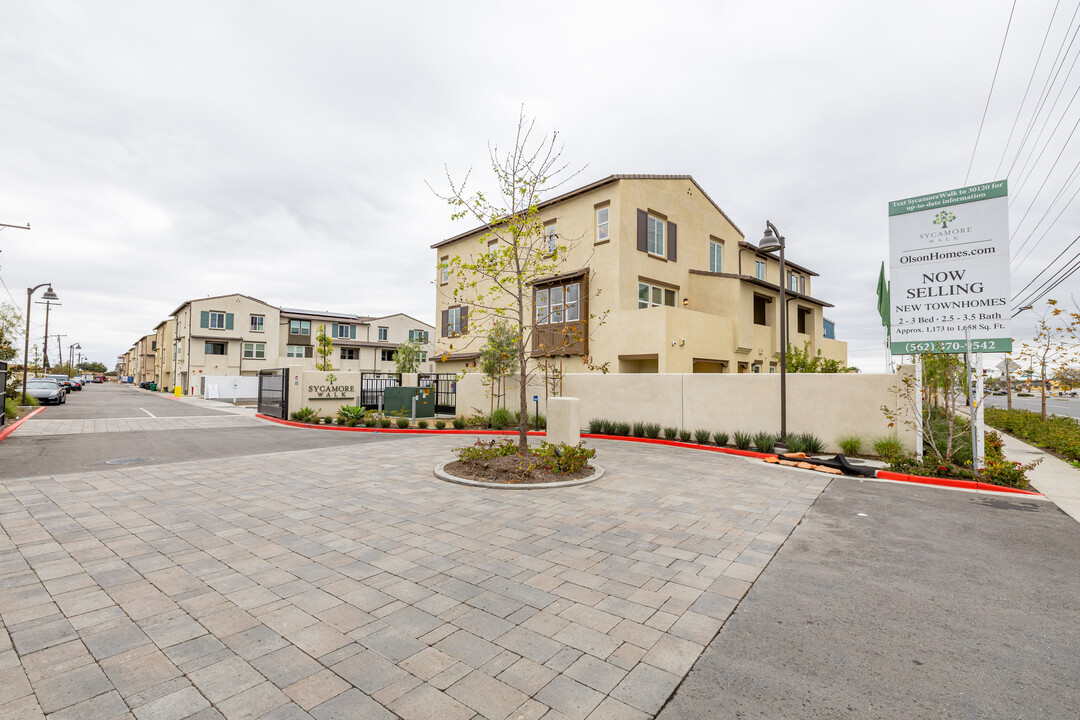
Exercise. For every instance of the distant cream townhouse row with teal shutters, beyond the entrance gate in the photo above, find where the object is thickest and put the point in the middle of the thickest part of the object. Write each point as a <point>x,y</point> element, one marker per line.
<point>238,335</point>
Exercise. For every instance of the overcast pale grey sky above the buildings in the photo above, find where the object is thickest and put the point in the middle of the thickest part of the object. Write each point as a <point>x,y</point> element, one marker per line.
<point>166,152</point>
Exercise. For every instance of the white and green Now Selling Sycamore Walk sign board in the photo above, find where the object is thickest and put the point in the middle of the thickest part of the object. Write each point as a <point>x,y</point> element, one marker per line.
<point>949,260</point>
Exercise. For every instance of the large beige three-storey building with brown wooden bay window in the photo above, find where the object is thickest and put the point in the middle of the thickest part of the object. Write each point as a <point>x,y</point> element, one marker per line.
<point>653,278</point>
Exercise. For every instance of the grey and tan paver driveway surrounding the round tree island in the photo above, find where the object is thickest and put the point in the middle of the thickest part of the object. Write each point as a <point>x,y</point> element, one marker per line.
<point>348,582</point>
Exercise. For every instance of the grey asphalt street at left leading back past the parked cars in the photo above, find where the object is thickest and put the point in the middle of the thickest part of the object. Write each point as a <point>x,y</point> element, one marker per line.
<point>29,456</point>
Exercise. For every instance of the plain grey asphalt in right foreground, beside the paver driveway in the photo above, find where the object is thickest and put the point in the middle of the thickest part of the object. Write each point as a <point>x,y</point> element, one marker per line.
<point>936,604</point>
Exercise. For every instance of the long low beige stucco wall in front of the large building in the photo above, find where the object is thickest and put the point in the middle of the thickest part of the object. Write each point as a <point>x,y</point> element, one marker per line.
<point>827,405</point>
